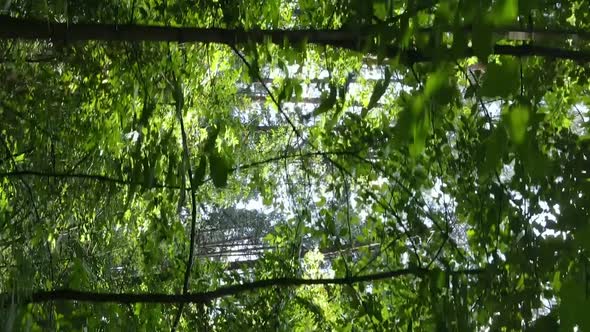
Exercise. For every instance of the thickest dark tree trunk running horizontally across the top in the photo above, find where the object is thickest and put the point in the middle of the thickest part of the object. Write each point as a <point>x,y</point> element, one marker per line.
<point>351,39</point>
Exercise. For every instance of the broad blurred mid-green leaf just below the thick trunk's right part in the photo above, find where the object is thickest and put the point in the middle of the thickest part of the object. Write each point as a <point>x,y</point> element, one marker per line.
<point>501,80</point>
